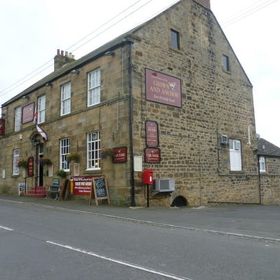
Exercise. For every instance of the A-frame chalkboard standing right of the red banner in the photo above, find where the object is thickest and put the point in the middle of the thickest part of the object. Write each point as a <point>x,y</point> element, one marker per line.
<point>99,190</point>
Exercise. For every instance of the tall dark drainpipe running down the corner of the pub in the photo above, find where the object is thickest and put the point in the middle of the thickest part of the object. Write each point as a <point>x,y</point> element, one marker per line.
<point>130,119</point>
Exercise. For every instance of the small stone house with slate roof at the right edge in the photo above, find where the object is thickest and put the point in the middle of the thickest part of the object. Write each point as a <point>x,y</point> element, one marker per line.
<point>269,172</point>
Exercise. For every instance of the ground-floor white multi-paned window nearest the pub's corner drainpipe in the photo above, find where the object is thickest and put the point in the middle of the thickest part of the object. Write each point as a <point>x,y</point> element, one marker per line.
<point>93,150</point>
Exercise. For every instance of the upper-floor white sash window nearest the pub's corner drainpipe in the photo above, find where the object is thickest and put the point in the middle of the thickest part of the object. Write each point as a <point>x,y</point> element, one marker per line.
<point>94,87</point>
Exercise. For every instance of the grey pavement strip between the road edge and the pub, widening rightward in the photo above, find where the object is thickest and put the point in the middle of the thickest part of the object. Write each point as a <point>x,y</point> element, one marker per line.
<point>241,221</point>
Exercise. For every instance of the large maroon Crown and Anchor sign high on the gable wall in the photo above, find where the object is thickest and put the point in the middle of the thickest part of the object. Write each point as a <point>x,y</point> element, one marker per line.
<point>163,88</point>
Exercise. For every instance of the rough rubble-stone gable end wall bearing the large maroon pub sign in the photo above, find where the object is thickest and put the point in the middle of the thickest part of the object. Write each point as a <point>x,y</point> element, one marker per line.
<point>214,102</point>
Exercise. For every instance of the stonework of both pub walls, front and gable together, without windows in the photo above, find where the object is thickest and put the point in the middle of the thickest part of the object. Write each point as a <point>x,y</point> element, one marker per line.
<point>214,102</point>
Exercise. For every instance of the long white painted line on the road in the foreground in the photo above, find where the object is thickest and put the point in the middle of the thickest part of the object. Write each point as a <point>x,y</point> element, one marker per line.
<point>134,266</point>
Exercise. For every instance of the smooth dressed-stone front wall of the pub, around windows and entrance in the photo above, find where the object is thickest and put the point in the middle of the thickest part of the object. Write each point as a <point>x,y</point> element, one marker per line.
<point>110,117</point>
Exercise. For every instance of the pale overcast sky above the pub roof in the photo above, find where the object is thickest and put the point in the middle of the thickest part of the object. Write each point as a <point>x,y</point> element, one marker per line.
<point>32,31</point>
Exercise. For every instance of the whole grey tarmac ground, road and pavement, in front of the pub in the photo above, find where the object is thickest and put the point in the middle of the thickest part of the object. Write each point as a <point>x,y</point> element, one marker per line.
<point>46,239</point>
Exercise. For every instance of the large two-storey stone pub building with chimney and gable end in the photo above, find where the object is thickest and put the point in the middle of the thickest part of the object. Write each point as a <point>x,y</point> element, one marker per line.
<point>170,95</point>
